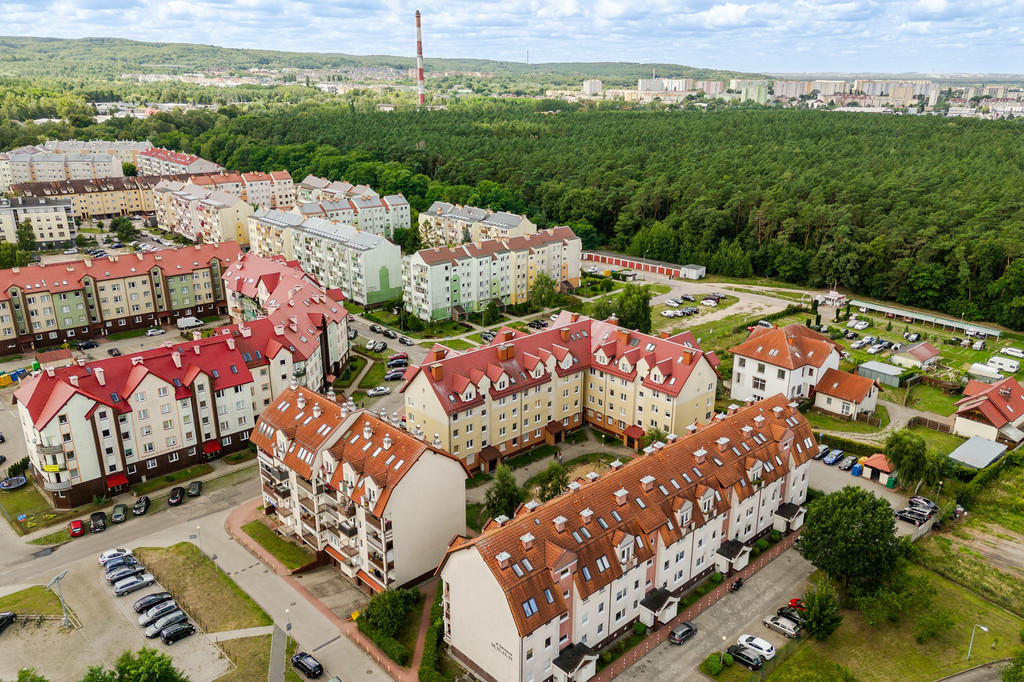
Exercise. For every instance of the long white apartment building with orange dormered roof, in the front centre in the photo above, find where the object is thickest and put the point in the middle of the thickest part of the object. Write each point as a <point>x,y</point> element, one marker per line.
<point>536,598</point>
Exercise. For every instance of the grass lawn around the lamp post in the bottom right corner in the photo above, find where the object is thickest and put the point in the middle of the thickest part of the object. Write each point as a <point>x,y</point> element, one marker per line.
<point>889,652</point>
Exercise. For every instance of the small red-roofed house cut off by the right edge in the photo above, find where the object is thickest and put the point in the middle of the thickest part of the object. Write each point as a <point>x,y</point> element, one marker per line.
<point>995,412</point>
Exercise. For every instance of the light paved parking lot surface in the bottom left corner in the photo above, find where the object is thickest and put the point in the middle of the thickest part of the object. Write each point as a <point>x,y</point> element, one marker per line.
<point>109,627</point>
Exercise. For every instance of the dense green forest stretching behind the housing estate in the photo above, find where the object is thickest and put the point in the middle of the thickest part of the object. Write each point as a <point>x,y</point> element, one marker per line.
<point>925,211</point>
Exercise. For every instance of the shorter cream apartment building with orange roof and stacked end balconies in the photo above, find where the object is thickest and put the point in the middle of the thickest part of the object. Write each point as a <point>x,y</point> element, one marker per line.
<point>378,502</point>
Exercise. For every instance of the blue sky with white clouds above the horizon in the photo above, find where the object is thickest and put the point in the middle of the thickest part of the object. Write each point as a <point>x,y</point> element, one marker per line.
<point>945,36</point>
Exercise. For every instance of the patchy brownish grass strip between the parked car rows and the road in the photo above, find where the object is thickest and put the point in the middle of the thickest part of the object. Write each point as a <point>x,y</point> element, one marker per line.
<point>204,591</point>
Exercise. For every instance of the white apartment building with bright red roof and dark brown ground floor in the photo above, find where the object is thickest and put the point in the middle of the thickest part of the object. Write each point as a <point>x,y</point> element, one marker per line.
<point>94,430</point>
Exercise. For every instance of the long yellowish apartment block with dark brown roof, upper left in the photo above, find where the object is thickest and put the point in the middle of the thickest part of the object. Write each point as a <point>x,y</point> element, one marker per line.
<point>102,198</point>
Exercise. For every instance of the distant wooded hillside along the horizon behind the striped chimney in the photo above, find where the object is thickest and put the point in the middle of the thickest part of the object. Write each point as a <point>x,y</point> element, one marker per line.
<point>110,58</point>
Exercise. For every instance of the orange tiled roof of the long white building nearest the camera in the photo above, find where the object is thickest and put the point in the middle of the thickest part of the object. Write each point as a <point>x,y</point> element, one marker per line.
<point>676,462</point>
